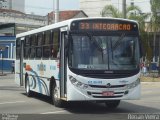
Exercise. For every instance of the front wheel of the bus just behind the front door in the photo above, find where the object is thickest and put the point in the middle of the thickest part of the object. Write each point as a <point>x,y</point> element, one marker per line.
<point>56,101</point>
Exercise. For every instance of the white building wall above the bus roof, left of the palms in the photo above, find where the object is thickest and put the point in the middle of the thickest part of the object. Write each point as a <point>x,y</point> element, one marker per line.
<point>93,8</point>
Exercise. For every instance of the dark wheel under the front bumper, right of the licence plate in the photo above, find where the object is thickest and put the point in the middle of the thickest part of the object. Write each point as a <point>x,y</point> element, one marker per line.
<point>112,104</point>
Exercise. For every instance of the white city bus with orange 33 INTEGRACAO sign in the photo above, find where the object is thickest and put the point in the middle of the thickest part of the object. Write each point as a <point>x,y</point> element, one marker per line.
<point>83,59</point>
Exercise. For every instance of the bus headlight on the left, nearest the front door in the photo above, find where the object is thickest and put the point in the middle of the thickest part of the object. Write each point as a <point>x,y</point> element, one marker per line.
<point>77,83</point>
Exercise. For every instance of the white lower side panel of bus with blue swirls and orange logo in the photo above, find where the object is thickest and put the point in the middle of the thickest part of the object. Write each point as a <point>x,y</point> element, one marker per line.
<point>39,74</point>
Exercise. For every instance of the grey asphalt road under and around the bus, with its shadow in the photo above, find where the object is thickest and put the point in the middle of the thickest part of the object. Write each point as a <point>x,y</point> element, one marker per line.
<point>13,101</point>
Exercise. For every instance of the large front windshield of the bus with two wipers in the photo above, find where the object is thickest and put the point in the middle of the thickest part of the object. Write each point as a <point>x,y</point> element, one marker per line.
<point>104,52</point>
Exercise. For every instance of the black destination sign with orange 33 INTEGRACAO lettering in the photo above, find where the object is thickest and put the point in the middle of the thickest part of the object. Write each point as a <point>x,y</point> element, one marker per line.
<point>104,25</point>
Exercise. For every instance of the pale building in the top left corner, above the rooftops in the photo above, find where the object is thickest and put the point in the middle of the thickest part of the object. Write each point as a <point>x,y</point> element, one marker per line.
<point>18,5</point>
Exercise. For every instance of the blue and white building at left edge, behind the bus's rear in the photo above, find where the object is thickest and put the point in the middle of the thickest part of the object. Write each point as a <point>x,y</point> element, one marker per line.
<point>7,46</point>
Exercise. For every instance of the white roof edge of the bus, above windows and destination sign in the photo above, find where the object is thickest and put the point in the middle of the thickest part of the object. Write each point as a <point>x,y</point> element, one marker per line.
<point>65,23</point>
